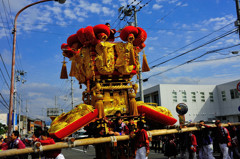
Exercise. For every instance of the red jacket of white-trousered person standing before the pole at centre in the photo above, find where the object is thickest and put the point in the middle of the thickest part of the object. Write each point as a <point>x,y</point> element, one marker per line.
<point>141,139</point>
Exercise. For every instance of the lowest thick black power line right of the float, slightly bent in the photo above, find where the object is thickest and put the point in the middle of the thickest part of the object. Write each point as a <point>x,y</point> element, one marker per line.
<point>189,61</point>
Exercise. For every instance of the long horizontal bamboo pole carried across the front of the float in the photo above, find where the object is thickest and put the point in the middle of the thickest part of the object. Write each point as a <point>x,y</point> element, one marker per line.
<point>93,141</point>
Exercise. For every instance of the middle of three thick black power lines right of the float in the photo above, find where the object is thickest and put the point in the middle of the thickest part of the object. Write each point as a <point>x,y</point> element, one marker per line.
<point>211,41</point>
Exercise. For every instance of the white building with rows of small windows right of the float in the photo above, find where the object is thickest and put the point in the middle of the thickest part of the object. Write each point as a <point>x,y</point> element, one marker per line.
<point>205,102</point>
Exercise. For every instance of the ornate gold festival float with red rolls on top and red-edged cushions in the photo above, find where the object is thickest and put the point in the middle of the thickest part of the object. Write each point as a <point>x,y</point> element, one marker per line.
<point>106,68</point>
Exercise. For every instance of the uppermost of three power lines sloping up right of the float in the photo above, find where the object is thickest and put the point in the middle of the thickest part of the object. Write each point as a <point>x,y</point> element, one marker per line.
<point>191,43</point>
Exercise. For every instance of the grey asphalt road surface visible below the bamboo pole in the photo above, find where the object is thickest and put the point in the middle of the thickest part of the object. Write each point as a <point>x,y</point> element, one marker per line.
<point>78,153</point>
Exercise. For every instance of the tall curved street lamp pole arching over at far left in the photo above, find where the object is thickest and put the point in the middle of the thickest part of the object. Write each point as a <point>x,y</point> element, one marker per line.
<point>13,60</point>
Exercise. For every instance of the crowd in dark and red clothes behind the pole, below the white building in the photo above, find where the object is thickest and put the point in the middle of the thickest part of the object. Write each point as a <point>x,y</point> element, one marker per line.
<point>201,144</point>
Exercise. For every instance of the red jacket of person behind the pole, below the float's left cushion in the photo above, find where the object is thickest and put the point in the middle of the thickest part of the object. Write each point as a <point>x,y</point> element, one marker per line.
<point>52,153</point>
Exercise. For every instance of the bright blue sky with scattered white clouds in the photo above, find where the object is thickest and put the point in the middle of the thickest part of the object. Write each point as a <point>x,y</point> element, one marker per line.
<point>170,24</point>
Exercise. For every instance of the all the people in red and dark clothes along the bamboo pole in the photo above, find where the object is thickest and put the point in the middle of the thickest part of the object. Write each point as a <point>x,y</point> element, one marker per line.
<point>186,145</point>
